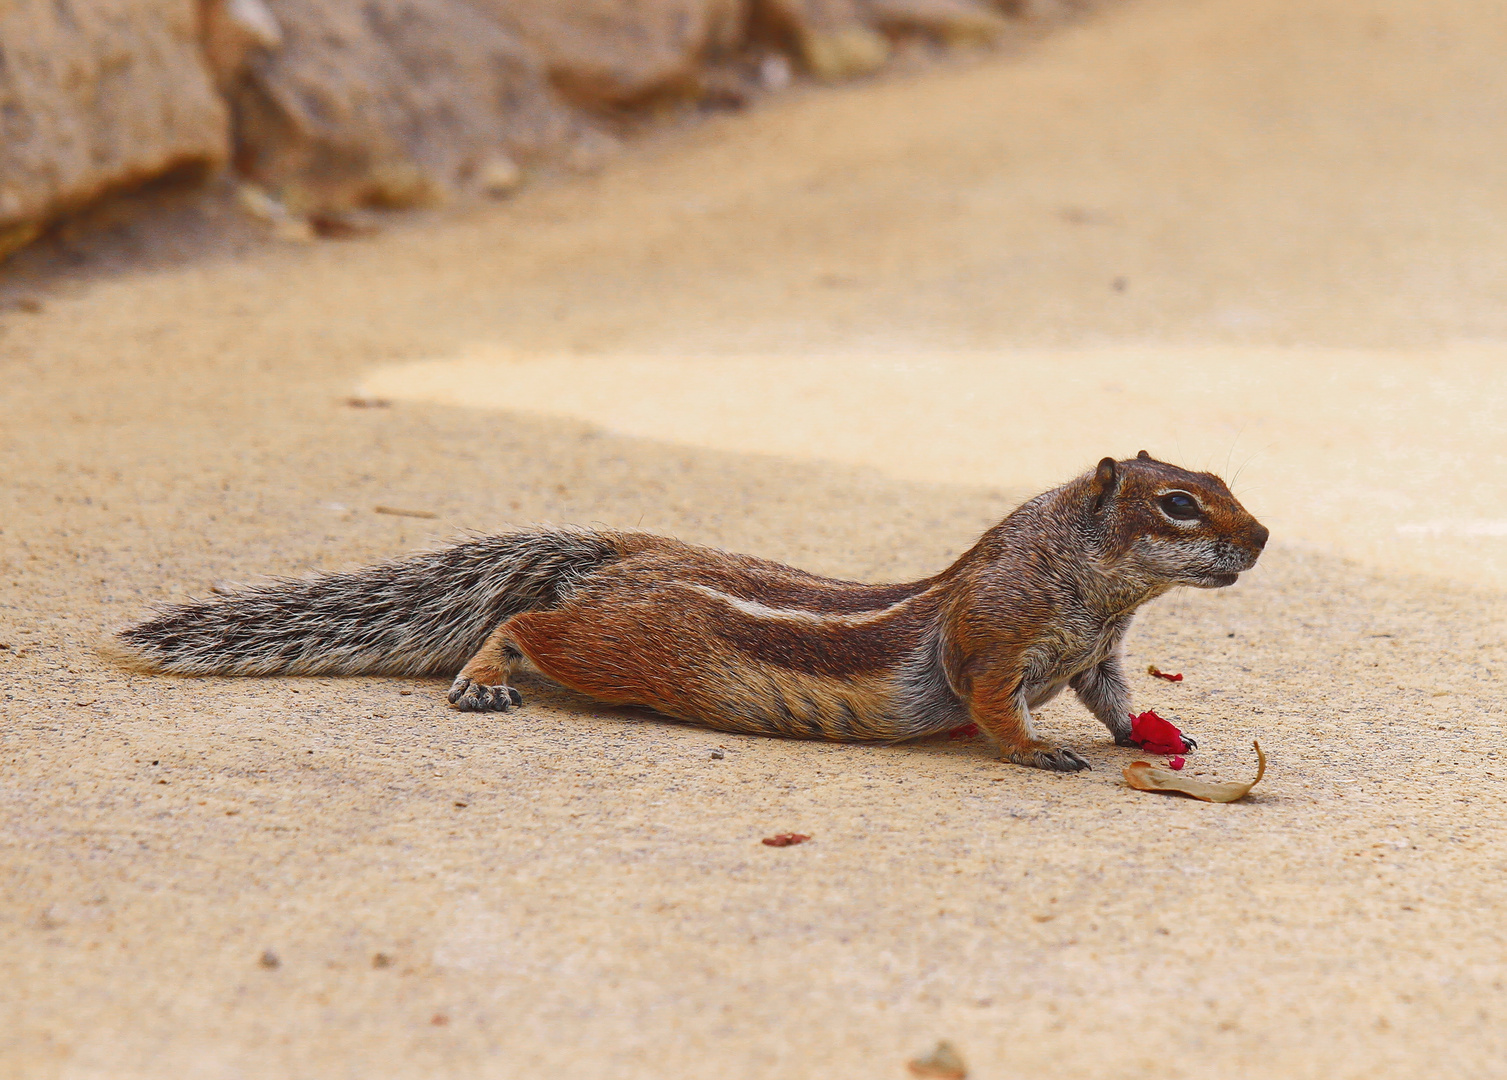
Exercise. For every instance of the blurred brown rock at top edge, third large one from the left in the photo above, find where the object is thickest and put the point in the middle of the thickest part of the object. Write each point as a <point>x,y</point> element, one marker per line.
<point>623,52</point>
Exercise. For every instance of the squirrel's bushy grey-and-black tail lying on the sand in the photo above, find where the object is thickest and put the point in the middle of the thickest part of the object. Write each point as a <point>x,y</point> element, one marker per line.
<point>423,615</point>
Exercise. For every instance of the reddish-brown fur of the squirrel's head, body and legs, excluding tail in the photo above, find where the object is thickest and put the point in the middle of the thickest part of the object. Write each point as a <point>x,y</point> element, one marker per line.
<point>1042,602</point>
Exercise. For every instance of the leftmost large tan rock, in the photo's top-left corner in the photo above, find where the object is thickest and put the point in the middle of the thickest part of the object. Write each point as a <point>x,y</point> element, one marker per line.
<point>99,96</point>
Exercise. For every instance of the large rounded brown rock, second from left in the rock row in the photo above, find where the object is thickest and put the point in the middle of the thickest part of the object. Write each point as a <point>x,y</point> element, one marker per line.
<point>391,103</point>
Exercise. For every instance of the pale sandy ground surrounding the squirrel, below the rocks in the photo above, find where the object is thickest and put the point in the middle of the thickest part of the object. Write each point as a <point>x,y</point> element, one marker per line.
<point>1255,236</point>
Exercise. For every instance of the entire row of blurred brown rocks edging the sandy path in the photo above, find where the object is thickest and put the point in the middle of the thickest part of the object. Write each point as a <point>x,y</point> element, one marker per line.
<point>331,105</point>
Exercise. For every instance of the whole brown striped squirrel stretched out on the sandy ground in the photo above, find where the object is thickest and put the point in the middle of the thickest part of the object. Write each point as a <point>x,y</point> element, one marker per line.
<point>733,642</point>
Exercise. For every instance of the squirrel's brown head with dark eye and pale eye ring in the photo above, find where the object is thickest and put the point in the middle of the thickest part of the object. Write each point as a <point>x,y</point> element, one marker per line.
<point>1173,525</point>
